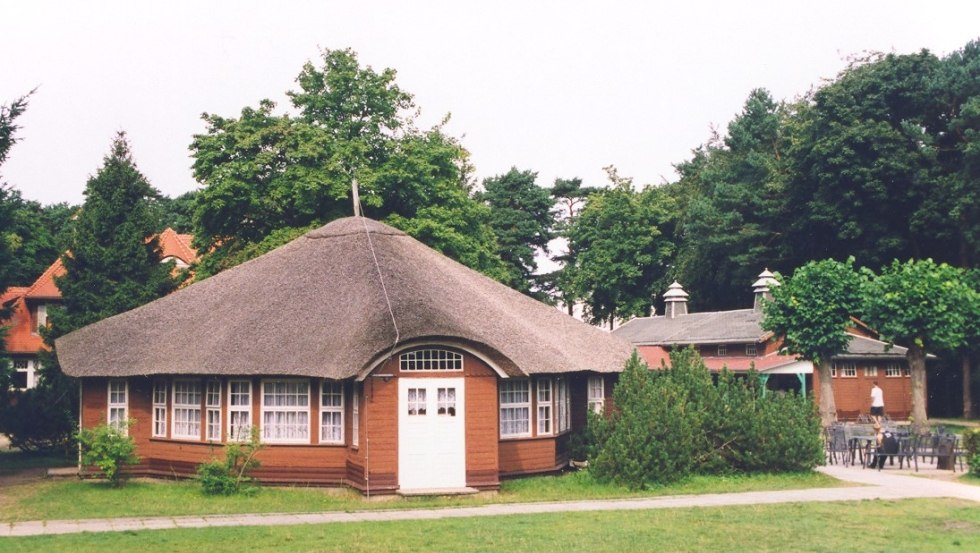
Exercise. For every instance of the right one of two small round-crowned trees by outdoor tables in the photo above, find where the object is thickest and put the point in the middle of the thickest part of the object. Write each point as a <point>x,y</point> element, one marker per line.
<point>926,307</point>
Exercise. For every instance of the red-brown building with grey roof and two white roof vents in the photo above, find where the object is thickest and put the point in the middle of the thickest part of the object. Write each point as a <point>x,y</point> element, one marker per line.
<point>735,339</point>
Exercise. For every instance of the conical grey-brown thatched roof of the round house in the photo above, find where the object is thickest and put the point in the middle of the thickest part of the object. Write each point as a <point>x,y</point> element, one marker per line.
<point>316,307</point>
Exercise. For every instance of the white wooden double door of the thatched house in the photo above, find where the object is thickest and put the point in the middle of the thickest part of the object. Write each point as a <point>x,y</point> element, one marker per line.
<point>431,433</point>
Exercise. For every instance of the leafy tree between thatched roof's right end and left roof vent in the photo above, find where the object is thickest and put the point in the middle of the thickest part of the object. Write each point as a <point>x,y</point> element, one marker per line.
<point>621,250</point>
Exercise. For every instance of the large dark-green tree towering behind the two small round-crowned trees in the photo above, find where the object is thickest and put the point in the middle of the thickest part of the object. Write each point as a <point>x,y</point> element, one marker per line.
<point>864,160</point>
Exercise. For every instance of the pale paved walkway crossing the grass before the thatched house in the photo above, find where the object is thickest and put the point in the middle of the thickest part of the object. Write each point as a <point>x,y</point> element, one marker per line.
<point>887,484</point>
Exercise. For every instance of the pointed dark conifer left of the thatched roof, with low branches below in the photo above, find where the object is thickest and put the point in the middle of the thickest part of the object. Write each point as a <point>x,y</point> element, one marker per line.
<point>113,264</point>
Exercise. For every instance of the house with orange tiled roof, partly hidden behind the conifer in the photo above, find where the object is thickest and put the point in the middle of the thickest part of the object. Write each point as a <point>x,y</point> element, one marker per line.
<point>29,307</point>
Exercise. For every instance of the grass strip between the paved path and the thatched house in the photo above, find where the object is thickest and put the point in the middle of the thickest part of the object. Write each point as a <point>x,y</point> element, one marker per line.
<point>73,499</point>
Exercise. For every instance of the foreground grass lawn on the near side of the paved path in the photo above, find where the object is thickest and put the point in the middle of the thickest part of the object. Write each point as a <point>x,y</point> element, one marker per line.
<point>866,526</point>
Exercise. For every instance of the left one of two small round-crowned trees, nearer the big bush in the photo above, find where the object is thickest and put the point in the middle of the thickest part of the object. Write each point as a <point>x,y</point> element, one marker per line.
<point>810,312</point>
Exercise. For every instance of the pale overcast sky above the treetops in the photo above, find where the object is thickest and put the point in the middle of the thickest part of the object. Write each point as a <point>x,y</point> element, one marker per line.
<point>562,88</point>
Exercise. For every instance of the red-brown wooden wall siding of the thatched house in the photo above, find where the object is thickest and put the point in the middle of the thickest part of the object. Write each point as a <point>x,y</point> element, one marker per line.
<point>487,456</point>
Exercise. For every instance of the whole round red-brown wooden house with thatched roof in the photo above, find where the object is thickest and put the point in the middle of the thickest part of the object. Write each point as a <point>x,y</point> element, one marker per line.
<point>363,357</point>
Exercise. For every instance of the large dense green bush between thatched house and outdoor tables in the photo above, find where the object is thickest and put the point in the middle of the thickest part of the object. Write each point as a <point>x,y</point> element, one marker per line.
<point>679,420</point>
